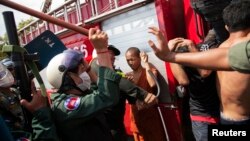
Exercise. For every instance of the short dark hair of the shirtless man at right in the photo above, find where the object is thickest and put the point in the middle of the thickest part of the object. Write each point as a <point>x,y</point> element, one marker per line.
<point>237,15</point>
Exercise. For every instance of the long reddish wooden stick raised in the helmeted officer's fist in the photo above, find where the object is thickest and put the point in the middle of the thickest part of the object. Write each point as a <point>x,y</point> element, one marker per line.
<point>43,16</point>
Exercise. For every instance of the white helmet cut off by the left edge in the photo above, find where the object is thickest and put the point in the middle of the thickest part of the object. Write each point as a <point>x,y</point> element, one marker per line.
<point>6,78</point>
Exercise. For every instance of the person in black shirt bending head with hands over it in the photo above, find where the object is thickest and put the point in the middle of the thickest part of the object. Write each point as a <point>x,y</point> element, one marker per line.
<point>204,102</point>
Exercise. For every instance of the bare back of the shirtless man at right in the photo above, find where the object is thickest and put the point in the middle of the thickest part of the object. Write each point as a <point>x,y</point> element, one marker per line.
<point>233,87</point>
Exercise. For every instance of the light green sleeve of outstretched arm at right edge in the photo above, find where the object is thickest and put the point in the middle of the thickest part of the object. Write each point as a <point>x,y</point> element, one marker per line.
<point>239,57</point>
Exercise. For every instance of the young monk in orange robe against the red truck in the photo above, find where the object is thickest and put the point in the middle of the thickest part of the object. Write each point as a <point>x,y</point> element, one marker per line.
<point>145,124</point>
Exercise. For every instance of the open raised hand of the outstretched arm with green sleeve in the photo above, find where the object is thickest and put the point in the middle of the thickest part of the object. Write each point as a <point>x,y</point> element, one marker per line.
<point>161,51</point>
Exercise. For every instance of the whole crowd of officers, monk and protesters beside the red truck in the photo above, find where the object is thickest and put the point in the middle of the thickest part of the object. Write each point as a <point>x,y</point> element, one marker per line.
<point>89,101</point>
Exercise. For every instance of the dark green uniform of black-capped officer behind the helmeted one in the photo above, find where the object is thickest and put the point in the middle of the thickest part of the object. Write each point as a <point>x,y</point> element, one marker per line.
<point>115,114</point>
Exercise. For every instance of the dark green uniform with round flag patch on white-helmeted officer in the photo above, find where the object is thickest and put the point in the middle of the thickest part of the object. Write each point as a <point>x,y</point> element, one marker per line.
<point>81,118</point>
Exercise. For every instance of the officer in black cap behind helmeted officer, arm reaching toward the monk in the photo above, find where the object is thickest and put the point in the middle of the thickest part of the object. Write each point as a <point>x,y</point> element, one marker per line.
<point>128,92</point>
